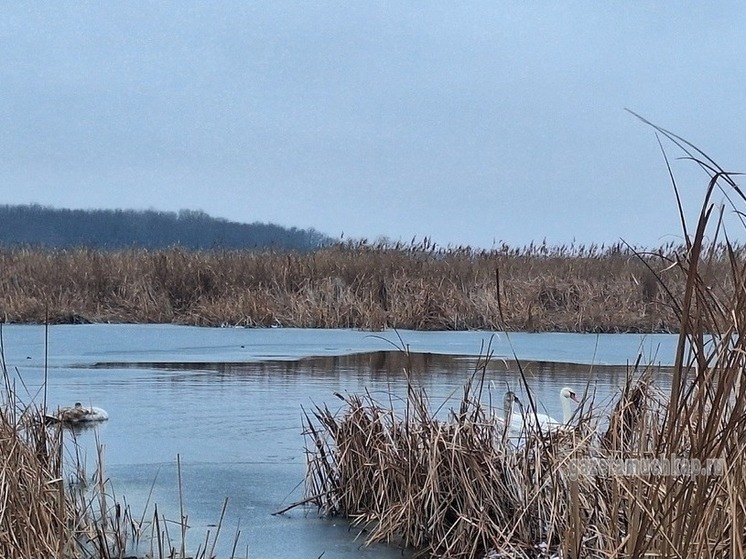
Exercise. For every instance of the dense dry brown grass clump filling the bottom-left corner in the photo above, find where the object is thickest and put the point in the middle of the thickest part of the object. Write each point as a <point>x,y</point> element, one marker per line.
<point>50,508</point>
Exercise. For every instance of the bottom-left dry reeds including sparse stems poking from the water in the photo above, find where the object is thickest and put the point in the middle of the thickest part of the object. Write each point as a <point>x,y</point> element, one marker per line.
<point>51,508</point>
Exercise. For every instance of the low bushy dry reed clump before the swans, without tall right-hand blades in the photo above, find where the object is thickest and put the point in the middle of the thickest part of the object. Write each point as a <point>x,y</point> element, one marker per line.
<point>455,487</point>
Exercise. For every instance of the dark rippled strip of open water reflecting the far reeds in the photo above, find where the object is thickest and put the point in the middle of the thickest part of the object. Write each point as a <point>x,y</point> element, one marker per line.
<point>389,371</point>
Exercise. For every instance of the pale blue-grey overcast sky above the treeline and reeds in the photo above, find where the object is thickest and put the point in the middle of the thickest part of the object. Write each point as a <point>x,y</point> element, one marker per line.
<point>467,122</point>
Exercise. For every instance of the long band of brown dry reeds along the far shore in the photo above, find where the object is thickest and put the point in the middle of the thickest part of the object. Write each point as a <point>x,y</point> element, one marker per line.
<point>418,286</point>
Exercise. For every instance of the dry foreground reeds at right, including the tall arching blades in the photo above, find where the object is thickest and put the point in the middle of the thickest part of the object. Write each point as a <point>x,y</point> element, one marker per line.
<point>655,473</point>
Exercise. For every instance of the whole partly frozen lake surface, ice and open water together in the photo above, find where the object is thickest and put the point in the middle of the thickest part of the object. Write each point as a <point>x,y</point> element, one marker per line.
<point>229,402</point>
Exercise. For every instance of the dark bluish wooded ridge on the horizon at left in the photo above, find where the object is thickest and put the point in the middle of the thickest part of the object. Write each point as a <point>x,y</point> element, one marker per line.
<point>39,226</point>
